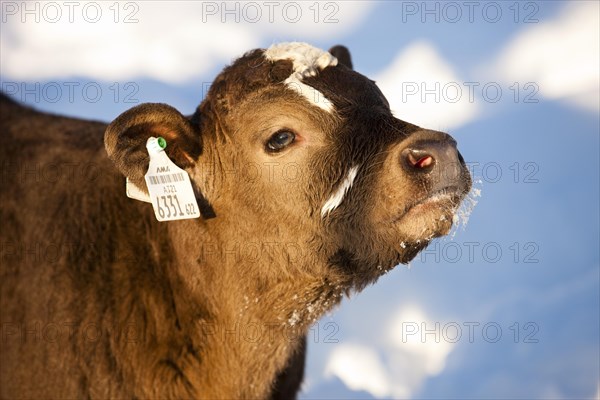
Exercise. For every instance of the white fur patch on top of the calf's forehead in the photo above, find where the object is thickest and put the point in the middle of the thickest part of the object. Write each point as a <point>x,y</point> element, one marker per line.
<point>307,61</point>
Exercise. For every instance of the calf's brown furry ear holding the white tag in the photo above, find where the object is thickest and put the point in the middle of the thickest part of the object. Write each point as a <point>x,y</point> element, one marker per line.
<point>125,139</point>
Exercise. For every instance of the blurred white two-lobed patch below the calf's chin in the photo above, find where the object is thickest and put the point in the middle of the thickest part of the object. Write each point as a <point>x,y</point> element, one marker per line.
<point>399,366</point>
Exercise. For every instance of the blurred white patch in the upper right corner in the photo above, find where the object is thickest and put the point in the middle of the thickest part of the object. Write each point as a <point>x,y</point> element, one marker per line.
<point>562,56</point>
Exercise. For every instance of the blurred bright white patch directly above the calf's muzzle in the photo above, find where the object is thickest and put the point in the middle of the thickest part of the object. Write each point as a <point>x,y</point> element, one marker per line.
<point>423,89</point>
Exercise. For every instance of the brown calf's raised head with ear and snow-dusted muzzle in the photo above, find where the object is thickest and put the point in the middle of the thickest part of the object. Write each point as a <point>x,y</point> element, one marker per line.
<point>291,144</point>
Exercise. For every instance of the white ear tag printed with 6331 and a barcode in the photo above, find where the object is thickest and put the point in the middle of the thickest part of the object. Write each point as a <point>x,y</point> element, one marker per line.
<point>169,186</point>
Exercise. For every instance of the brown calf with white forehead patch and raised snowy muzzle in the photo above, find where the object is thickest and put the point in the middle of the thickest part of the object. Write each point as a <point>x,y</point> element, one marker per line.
<point>309,188</point>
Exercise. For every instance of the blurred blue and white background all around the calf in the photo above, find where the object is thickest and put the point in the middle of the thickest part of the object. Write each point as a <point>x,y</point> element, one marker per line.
<point>520,282</point>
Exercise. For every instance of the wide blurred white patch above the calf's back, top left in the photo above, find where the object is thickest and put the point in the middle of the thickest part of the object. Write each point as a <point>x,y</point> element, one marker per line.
<point>172,46</point>
